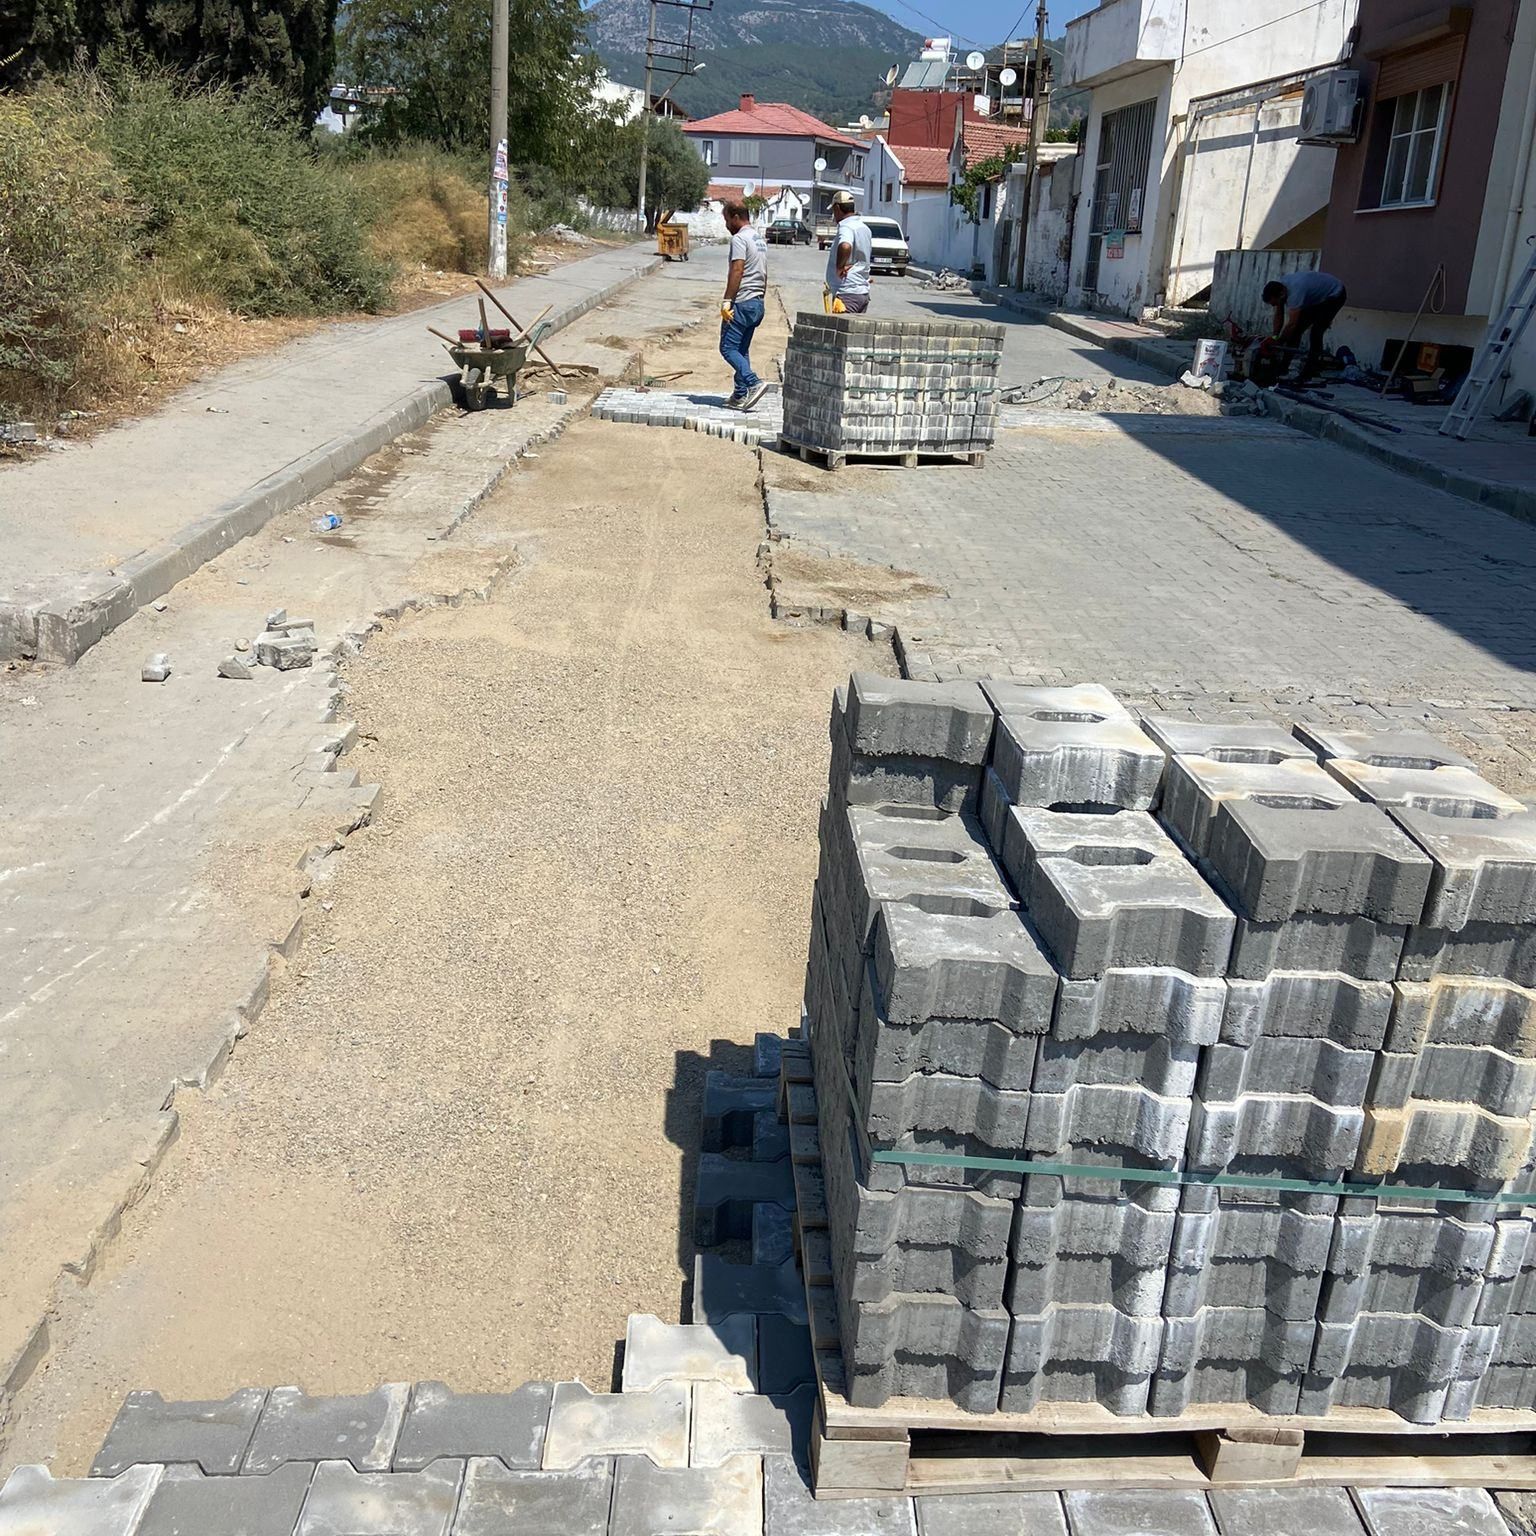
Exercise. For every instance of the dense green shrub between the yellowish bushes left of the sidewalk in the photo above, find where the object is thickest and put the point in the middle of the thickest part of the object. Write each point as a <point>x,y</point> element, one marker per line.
<point>236,205</point>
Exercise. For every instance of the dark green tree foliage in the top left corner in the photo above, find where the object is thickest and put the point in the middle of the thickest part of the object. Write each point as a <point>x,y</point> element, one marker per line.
<point>288,45</point>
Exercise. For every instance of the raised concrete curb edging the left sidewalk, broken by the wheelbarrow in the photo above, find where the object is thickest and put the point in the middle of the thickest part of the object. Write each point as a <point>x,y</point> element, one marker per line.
<point>64,629</point>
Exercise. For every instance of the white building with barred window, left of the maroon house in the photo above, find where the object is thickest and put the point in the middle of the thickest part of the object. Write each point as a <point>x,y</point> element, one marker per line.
<point>1191,142</point>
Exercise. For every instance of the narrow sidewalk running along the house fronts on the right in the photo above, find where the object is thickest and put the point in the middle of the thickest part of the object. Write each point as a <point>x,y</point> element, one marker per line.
<point>1495,468</point>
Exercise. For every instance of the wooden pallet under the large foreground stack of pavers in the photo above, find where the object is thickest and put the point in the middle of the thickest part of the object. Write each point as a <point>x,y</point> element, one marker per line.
<point>915,1446</point>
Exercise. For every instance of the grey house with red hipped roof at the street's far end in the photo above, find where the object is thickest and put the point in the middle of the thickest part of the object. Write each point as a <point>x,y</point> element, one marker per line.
<point>772,144</point>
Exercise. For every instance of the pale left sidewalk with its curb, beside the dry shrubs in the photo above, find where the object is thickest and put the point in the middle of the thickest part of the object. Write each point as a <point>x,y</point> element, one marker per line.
<point>96,532</point>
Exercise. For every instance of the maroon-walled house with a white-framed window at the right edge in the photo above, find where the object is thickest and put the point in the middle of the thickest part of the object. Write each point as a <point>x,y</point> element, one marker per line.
<point>1435,197</point>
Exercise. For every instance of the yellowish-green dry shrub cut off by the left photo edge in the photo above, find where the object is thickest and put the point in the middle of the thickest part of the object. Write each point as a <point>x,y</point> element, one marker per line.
<point>62,243</point>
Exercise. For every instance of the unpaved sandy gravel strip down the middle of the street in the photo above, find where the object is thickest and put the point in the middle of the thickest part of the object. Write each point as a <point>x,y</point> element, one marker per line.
<point>460,1139</point>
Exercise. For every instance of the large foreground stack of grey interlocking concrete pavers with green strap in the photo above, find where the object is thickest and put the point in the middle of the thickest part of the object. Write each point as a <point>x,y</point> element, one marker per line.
<point>1260,979</point>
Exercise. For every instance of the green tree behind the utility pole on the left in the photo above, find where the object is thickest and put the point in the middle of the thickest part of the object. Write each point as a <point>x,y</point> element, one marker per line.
<point>435,55</point>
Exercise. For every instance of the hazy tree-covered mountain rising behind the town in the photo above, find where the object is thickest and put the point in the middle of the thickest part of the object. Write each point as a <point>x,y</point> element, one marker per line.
<point>826,56</point>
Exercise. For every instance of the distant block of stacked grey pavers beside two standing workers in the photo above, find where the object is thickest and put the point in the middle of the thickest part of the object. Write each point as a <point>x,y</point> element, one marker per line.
<point>872,385</point>
